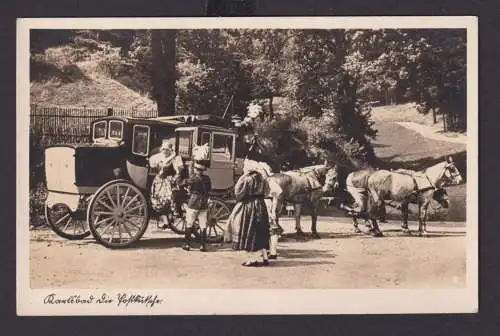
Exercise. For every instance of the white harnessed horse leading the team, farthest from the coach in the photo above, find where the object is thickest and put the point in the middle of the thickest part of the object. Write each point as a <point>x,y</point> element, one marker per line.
<point>419,188</point>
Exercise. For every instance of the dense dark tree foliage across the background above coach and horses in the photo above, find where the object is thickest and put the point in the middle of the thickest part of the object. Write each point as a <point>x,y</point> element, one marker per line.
<point>327,77</point>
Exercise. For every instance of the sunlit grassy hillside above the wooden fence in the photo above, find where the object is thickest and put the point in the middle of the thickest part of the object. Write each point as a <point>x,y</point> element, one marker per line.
<point>58,80</point>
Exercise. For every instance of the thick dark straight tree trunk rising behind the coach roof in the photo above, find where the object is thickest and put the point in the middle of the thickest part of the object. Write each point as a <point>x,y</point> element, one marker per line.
<point>163,70</point>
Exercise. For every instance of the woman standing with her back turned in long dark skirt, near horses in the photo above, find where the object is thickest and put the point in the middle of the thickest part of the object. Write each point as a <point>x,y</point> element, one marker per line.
<point>249,220</point>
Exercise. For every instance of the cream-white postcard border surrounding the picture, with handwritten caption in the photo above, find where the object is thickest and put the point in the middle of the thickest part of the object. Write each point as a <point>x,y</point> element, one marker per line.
<point>30,302</point>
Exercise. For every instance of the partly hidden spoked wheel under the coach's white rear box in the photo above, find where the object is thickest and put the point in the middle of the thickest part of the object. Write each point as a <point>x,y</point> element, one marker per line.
<point>66,223</point>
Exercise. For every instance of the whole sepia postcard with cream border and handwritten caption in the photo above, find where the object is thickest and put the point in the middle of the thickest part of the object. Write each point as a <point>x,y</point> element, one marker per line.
<point>247,166</point>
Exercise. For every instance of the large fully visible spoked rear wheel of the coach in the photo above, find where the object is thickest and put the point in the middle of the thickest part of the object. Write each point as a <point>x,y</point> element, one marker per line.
<point>118,214</point>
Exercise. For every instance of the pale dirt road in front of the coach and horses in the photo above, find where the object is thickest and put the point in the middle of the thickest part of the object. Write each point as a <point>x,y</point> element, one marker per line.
<point>341,259</point>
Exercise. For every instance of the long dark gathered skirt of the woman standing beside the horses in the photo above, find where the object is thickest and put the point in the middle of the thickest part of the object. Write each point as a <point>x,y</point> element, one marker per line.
<point>250,222</point>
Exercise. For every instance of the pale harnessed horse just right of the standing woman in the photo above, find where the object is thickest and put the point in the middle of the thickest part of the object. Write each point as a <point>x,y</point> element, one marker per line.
<point>303,187</point>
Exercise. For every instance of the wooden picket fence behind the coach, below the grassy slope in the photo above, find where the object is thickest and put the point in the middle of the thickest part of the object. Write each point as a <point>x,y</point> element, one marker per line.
<point>72,125</point>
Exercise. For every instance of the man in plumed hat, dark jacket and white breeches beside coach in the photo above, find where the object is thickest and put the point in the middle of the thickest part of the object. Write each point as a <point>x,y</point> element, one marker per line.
<point>199,186</point>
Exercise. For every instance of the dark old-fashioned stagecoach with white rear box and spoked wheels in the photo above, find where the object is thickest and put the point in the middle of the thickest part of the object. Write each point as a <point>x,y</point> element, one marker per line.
<point>102,187</point>
